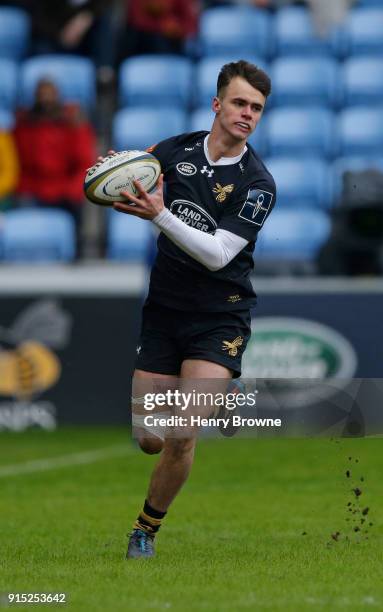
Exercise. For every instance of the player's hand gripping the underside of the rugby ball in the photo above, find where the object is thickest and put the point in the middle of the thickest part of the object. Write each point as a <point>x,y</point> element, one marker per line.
<point>145,205</point>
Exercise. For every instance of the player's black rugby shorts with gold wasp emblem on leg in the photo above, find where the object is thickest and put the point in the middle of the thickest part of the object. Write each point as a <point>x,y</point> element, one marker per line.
<point>169,336</point>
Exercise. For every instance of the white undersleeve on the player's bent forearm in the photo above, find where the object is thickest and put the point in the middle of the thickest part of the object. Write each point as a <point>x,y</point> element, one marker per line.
<point>214,251</point>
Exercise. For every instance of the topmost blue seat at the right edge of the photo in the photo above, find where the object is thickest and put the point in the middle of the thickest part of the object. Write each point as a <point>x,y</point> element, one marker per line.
<point>363,30</point>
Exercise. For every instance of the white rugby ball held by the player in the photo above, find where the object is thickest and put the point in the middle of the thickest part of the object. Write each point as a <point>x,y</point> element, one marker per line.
<point>105,180</point>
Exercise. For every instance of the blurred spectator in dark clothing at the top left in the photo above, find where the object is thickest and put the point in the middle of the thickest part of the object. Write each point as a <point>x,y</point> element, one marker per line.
<point>76,26</point>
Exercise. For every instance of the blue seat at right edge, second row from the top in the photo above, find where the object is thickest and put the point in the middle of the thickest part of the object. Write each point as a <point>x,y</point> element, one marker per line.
<point>363,81</point>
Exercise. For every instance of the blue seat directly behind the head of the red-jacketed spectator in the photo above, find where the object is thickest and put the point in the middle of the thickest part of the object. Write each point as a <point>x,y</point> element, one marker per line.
<point>75,77</point>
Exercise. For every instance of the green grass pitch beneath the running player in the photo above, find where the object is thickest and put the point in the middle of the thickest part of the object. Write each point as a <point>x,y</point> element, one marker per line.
<point>251,530</point>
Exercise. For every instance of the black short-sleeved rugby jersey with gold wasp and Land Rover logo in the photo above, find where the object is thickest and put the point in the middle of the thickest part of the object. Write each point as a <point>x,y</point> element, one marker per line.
<point>236,197</point>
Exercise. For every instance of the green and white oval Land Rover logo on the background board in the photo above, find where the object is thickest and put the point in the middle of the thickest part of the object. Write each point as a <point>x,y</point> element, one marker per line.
<point>293,349</point>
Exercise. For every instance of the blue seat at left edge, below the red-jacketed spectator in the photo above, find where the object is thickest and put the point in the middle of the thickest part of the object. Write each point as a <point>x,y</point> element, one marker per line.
<point>35,235</point>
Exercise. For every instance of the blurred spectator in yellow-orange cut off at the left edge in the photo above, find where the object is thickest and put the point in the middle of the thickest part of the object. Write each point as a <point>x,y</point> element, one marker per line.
<point>9,169</point>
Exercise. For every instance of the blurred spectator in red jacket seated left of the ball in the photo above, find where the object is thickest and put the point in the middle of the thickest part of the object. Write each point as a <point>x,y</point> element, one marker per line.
<point>55,144</point>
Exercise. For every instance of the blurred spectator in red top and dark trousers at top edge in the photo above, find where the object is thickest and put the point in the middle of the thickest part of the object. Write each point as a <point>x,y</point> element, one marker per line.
<point>159,26</point>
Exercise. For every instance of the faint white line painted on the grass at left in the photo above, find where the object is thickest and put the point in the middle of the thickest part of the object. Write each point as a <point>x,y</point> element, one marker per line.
<point>53,463</point>
